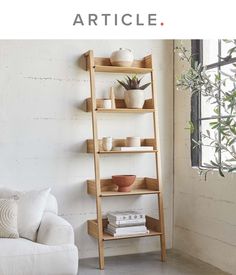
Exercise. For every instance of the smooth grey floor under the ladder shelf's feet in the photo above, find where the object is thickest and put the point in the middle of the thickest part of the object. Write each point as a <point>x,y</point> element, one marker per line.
<point>149,263</point>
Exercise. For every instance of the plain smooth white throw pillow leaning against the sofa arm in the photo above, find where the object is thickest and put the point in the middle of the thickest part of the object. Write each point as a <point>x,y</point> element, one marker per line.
<point>31,206</point>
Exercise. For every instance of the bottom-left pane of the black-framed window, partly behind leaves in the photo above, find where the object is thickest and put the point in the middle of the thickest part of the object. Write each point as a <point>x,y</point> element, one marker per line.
<point>208,150</point>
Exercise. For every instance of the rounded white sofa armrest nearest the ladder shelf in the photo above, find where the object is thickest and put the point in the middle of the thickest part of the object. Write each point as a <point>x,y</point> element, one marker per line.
<point>54,230</point>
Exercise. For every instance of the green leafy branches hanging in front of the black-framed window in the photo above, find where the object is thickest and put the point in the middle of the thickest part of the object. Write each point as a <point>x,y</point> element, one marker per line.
<point>219,89</point>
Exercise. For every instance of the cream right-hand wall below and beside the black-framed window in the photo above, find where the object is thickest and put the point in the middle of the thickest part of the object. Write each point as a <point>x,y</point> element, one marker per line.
<point>205,219</point>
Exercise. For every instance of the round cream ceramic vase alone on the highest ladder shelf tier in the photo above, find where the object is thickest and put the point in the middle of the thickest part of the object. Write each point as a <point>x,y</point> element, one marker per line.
<point>122,58</point>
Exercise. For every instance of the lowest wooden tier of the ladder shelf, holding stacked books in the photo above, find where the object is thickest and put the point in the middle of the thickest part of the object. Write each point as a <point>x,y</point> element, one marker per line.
<point>153,225</point>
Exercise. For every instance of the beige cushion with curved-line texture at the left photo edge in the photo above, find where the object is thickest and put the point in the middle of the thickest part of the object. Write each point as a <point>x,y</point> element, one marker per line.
<point>8,218</point>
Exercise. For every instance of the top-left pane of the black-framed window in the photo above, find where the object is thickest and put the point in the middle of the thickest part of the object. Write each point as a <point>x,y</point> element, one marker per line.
<point>210,51</point>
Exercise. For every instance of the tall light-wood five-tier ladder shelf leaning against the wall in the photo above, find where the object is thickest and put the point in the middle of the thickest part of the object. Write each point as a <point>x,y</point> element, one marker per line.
<point>104,187</point>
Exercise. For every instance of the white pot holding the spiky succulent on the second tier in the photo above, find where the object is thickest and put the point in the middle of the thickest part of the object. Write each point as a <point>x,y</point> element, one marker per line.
<point>134,99</point>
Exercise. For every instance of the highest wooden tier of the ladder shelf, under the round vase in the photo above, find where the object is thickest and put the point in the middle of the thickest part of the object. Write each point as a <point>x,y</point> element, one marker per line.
<point>103,64</point>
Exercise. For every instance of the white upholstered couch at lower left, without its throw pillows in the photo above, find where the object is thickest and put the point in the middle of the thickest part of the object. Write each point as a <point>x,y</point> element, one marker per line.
<point>54,253</point>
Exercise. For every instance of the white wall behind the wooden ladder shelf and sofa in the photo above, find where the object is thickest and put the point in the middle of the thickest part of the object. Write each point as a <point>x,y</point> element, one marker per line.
<point>43,130</point>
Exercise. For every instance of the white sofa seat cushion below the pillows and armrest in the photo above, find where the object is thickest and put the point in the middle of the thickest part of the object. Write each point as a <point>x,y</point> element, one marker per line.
<point>21,257</point>
